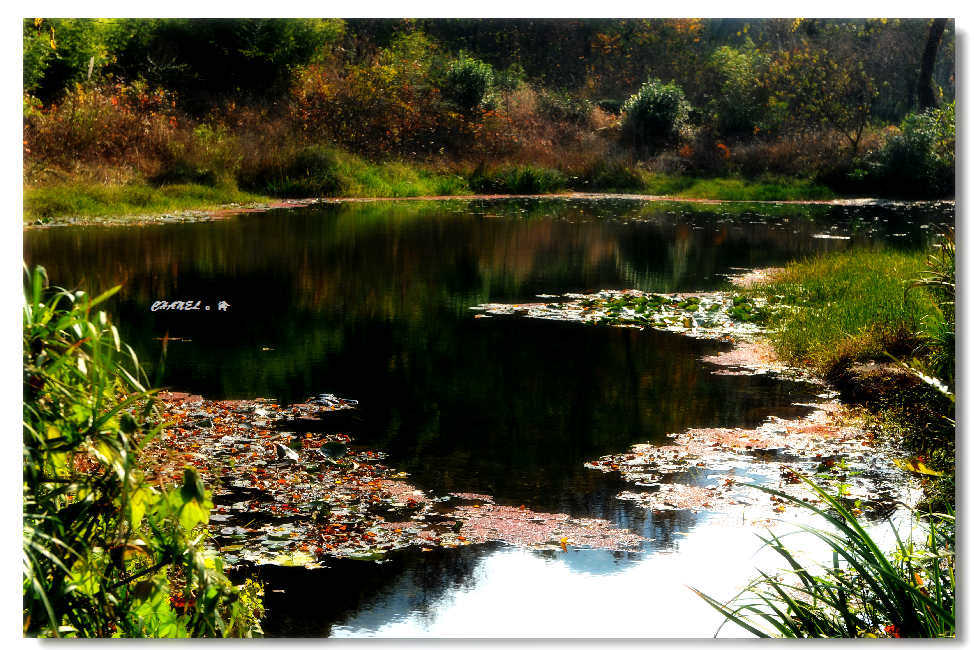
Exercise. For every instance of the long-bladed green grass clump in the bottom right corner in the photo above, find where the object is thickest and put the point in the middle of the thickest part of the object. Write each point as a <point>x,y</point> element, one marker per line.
<point>863,592</point>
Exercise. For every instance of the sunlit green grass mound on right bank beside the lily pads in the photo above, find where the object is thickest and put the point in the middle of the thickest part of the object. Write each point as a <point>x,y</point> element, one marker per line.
<point>849,306</point>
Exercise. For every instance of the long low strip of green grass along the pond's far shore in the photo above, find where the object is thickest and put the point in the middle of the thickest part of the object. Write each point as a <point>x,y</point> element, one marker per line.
<point>344,175</point>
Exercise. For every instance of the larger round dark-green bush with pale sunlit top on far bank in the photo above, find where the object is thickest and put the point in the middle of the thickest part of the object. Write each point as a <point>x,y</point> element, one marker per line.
<point>655,115</point>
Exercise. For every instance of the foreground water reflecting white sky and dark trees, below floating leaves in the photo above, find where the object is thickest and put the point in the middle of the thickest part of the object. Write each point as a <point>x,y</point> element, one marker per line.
<point>504,591</point>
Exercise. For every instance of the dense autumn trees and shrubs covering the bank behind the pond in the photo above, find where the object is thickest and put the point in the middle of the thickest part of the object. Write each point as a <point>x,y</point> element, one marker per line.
<point>306,106</point>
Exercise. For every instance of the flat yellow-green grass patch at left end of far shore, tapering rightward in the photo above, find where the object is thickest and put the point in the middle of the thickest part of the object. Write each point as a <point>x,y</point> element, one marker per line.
<point>82,199</point>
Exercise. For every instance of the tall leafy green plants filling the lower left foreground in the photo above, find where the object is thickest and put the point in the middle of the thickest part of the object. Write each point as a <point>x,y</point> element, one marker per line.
<point>106,554</point>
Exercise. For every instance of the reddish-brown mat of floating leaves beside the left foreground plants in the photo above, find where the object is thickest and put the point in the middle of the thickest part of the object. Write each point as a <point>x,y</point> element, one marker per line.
<point>295,498</point>
